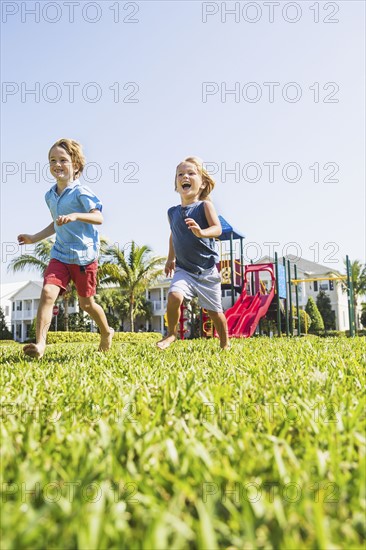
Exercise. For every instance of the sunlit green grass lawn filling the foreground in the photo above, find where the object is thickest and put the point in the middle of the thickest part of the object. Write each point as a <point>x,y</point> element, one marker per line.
<point>259,447</point>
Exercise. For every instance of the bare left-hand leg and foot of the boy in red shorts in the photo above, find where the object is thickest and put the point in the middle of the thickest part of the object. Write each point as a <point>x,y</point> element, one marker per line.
<point>44,318</point>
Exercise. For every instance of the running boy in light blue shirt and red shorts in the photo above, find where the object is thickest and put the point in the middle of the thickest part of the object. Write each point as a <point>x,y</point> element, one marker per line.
<point>75,210</point>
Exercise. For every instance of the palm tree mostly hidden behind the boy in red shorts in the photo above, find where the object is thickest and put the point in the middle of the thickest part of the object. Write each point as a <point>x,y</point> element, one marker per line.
<point>39,262</point>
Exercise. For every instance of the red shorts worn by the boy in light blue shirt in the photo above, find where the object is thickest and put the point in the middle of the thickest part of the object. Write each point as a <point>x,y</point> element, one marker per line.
<point>84,277</point>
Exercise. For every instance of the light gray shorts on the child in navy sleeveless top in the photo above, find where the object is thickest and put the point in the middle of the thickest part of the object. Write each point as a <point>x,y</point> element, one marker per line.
<point>206,286</point>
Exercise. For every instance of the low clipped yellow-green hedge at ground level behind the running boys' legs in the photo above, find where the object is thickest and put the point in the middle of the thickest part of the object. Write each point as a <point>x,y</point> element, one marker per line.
<point>85,337</point>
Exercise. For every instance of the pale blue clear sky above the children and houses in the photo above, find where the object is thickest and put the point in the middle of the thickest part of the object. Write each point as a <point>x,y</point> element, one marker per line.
<point>269,94</point>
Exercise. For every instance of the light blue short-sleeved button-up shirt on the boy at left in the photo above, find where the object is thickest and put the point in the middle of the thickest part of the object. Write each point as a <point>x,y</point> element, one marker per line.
<point>76,242</point>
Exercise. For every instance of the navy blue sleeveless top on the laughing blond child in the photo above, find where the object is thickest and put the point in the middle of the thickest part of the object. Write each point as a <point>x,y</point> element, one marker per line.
<point>192,253</point>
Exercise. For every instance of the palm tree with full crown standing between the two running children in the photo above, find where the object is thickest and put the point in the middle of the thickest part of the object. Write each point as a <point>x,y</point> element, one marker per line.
<point>133,270</point>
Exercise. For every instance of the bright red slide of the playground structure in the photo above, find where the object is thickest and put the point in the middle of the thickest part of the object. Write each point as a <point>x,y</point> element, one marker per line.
<point>243,316</point>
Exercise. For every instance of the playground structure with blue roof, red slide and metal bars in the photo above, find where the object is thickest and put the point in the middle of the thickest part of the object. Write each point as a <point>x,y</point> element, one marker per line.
<point>258,290</point>
